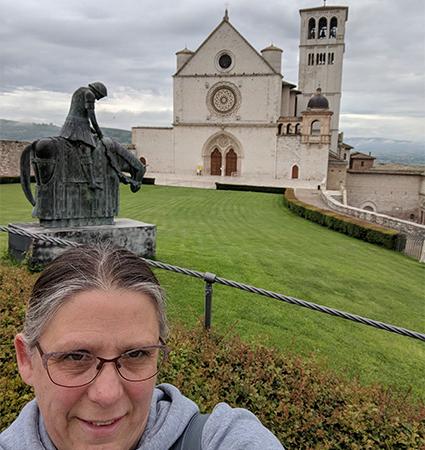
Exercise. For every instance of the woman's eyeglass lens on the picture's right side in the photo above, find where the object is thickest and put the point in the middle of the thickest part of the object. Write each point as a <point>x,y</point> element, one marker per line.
<point>141,364</point>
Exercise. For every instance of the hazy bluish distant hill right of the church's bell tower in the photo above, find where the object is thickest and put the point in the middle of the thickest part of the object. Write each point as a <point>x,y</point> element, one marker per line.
<point>390,150</point>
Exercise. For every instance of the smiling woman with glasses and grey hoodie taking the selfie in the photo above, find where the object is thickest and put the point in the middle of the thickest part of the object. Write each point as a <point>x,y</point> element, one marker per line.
<point>92,344</point>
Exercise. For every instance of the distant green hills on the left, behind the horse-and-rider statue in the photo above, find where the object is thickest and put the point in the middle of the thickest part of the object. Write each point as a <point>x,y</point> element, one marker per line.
<point>21,131</point>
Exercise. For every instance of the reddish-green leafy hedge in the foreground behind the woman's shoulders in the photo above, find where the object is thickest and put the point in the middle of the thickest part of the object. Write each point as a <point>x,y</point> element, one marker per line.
<point>306,406</point>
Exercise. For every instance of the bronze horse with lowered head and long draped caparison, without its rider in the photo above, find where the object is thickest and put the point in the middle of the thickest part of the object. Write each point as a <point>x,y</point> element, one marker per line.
<point>64,195</point>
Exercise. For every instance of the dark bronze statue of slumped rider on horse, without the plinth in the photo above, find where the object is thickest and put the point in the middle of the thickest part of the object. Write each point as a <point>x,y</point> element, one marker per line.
<point>78,173</point>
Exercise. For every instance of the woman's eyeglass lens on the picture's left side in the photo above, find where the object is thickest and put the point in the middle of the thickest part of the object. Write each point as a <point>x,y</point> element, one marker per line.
<point>72,369</point>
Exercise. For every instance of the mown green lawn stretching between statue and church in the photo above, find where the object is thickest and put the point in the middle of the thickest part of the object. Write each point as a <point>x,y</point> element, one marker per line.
<point>252,238</point>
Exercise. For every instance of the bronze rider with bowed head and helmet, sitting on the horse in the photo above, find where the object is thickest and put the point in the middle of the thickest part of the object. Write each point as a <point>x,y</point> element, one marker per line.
<point>81,124</point>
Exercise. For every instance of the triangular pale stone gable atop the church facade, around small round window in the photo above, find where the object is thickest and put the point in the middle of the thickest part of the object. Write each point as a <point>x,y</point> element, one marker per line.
<point>245,59</point>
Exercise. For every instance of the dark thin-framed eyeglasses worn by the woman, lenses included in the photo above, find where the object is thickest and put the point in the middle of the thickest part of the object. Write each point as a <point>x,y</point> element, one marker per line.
<point>79,368</point>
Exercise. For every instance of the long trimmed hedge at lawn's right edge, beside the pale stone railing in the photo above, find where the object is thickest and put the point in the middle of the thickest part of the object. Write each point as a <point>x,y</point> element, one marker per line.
<point>356,228</point>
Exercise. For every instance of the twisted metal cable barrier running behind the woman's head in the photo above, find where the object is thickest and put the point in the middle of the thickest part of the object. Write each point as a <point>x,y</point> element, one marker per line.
<point>211,278</point>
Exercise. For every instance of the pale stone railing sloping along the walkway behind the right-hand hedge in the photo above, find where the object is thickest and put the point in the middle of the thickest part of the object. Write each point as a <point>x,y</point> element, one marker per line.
<point>404,226</point>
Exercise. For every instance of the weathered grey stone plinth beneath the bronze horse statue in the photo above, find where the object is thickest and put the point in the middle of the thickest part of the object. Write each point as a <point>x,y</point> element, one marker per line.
<point>138,237</point>
